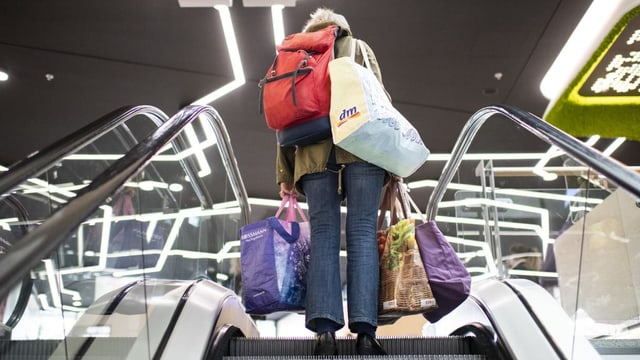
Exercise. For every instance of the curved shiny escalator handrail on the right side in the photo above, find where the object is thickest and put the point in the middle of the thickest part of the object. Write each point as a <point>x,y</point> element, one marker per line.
<point>590,157</point>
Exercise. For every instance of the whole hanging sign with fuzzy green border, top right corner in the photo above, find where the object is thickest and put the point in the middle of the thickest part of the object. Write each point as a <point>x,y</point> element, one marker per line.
<point>604,98</point>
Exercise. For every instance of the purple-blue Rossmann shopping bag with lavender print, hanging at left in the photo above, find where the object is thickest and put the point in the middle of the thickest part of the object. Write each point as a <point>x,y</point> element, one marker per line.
<point>274,258</point>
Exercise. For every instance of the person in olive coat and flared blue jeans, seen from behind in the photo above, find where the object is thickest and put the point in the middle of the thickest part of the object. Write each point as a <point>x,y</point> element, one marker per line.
<point>327,175</point>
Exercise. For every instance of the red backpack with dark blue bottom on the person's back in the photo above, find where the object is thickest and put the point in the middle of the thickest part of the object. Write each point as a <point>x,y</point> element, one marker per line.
<point>295,94</point>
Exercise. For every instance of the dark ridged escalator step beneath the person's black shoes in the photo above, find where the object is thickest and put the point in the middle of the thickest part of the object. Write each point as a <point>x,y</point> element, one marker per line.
<point>458,345</point>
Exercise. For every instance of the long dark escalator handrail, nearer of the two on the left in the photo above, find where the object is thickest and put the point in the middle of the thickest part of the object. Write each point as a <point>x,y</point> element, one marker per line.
<point>40,242</point>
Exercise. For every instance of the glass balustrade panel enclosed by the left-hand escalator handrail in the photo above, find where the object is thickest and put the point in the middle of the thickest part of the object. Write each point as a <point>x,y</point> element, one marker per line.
<point>153,228</point>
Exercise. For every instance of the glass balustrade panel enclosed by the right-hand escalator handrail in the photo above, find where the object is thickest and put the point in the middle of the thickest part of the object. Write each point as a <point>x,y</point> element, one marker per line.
<point>545,217</point>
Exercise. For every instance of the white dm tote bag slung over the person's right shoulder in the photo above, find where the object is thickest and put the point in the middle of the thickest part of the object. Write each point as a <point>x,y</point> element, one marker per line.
<point>365,123</point>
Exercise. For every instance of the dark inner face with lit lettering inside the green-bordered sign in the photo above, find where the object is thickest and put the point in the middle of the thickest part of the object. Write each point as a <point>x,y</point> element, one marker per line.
<point>618,72</point>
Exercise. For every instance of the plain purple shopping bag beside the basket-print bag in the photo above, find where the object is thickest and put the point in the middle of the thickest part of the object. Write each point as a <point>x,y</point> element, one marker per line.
<point>450,281</point>
